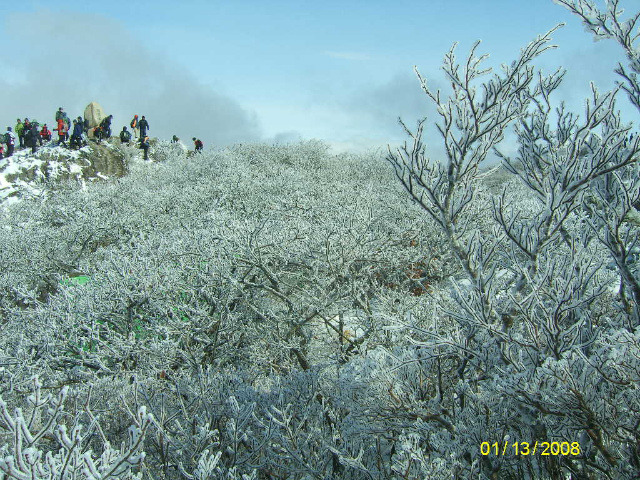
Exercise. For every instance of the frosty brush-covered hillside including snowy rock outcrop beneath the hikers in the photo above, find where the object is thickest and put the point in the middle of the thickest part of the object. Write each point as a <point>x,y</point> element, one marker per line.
<point>279,310</point>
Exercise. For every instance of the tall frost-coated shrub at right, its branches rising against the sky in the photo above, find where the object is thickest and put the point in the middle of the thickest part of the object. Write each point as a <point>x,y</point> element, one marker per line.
<point>532,357</point>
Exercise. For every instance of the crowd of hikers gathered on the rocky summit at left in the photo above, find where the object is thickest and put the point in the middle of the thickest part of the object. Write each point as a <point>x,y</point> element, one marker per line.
<point>28,133</point>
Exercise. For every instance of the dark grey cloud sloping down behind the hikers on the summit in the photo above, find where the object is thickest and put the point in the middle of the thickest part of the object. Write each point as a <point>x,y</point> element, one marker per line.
<point>71,59</point>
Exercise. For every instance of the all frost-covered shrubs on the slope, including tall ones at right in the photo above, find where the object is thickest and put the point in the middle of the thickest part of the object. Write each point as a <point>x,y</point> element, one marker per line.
<point>274,311</point>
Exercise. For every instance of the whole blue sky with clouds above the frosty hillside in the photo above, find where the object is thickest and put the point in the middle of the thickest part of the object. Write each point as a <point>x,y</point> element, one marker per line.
<point>241,71</point>
